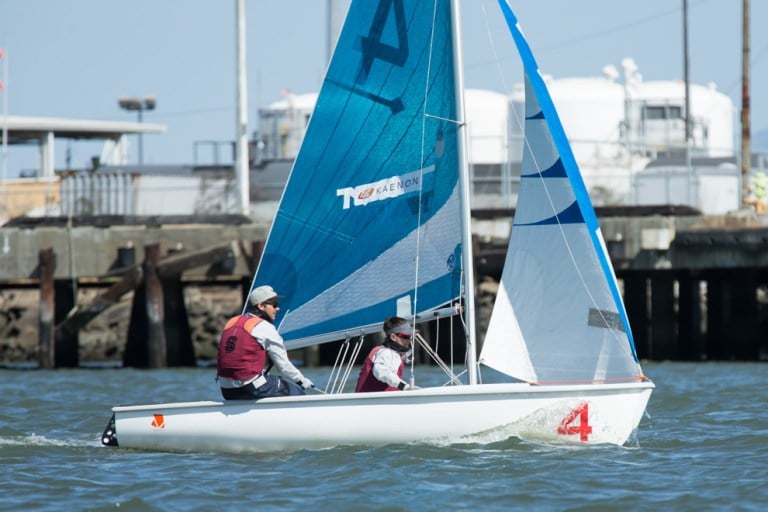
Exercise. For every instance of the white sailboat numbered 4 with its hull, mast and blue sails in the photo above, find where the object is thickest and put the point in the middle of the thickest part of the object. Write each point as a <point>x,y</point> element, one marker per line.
<point>374,221</point>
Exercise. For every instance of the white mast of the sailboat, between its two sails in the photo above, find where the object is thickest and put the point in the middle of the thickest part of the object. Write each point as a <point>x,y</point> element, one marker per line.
<point>468,262</point>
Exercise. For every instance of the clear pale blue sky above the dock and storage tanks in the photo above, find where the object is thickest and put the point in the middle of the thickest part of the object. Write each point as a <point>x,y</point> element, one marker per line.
<point>74,58</point>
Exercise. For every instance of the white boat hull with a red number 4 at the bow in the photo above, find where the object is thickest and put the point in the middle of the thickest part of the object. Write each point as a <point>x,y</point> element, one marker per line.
<point>593,414</point>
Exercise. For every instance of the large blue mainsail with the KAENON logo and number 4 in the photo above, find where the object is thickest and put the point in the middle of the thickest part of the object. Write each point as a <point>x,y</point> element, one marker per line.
<point>368,225</point>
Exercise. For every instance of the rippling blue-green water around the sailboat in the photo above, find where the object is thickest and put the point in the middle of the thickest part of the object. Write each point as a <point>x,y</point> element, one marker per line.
<point>702,446</point>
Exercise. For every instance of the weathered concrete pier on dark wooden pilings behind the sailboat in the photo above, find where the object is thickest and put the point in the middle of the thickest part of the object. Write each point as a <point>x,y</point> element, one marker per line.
<point>696,288</point>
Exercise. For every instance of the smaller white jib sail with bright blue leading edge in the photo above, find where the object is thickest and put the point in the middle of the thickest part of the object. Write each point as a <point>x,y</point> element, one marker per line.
<point>558,316</point>
